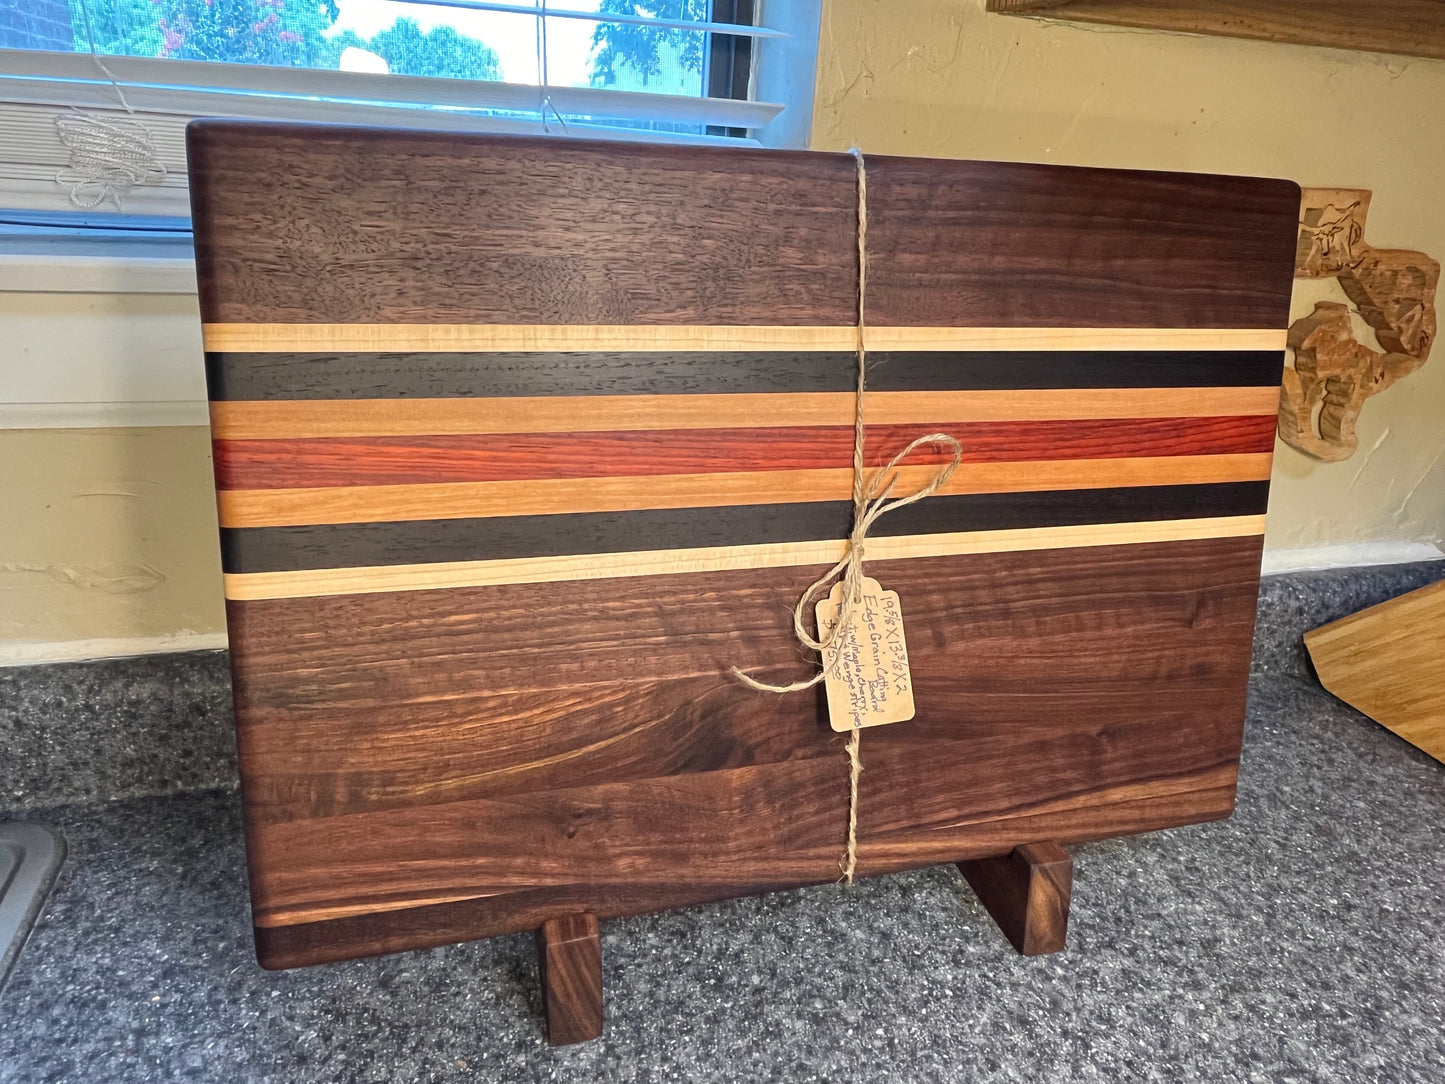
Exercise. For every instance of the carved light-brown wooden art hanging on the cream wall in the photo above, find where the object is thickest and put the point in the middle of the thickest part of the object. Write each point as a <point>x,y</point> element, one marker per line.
<point>1392,290</point>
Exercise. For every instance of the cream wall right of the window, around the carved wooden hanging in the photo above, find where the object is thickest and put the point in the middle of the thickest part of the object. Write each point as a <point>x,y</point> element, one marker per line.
<point>946,79</point>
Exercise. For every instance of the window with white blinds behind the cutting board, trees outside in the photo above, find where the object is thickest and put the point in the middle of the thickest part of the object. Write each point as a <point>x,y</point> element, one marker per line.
<point>95,95</point>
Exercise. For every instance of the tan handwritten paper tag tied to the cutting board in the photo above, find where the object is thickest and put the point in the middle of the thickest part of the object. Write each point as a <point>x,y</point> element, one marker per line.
<point>866,671</point>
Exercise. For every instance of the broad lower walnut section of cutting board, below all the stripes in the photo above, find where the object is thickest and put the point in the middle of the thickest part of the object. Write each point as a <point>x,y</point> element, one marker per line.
<point>353,707</point>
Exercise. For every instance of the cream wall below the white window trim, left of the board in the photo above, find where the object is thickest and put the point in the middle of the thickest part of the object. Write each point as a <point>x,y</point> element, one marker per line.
<point>108,535</point>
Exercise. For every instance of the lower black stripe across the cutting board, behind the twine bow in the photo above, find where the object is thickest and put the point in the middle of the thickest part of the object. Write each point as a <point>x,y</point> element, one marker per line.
<point>361,546</point>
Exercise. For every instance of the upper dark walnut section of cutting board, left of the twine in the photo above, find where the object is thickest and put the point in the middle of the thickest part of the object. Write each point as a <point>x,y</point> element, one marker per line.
<point>411,228</point>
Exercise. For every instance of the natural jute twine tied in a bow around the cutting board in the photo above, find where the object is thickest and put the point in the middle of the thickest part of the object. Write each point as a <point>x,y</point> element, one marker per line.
<point>871,502</point>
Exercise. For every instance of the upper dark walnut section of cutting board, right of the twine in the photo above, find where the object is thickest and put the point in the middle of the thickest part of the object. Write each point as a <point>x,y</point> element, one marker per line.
<point>1097,248</point>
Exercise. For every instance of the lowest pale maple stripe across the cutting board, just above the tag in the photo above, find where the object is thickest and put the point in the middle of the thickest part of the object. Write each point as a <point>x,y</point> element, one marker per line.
<point>534,570</point>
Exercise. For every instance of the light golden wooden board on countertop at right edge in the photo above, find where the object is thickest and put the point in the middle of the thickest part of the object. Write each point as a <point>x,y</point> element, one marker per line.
<point>1389,663</point>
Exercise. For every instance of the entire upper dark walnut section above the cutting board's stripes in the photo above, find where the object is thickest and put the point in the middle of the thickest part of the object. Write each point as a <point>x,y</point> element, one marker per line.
<point>415,228</point>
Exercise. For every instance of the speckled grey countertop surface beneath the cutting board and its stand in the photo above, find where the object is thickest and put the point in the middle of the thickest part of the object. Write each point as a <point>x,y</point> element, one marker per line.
<point>1298,942</point>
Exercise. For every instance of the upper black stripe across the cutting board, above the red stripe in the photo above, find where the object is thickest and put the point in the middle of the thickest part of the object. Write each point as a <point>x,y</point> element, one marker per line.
<point>504,375</point>
